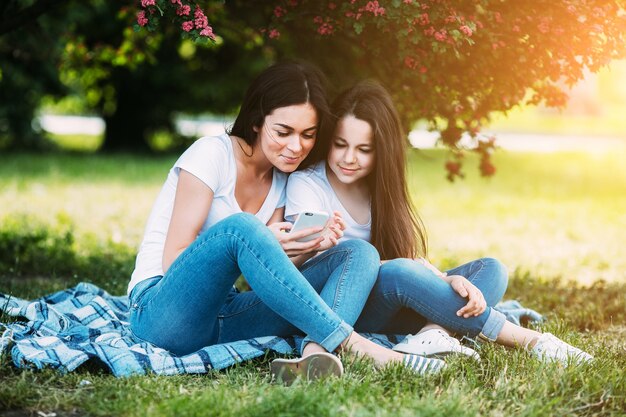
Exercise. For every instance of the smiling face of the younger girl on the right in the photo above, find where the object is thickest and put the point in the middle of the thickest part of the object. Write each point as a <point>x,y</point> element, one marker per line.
<point>352,155</point>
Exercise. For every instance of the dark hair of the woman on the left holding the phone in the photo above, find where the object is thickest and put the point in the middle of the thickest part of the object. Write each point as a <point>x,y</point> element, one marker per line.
<point>281,85</point>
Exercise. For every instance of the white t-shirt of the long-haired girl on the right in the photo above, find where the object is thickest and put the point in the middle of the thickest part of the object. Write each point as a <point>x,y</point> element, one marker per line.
<point>309,190</point>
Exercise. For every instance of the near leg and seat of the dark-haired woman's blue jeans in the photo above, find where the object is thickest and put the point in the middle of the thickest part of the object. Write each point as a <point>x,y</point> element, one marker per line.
<point>190,306</point>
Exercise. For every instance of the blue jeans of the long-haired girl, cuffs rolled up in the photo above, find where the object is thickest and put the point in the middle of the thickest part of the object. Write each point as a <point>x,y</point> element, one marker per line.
<point>407,295</point>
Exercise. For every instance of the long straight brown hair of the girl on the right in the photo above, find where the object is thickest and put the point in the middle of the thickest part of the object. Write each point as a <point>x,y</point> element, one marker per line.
<point>397,230</point>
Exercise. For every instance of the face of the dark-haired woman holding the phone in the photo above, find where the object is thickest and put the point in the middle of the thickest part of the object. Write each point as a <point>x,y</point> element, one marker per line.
<point>288,135</point>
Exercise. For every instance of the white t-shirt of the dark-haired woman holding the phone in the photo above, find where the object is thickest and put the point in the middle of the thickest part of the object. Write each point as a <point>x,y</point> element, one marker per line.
<point>212,160</point>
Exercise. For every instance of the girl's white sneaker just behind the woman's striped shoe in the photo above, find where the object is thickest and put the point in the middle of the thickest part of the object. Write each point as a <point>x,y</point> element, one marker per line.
<point>434,342</point>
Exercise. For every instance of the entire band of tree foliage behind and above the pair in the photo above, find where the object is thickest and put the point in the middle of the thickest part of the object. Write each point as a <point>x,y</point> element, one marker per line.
<point>453,64</point>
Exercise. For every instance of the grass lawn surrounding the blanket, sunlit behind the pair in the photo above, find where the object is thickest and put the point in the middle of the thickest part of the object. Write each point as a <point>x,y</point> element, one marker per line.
<point>556,219</point>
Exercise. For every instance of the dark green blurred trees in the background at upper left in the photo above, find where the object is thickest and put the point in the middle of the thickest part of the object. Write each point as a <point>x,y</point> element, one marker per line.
<point>134,80</point>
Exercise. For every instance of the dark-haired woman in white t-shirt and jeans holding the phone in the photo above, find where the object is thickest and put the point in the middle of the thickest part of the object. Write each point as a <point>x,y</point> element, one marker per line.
<point>219,215</point>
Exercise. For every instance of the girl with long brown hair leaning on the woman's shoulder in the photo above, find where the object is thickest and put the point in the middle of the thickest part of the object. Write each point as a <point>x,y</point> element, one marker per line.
<point>364,179</point>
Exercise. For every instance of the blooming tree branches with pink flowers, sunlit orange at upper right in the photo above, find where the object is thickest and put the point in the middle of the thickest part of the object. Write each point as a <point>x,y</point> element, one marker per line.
<point>454,63</point>
